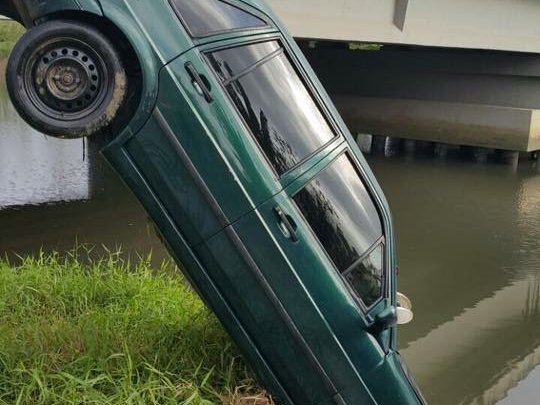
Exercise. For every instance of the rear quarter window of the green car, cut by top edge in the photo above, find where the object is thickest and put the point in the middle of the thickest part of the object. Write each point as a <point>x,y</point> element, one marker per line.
<point>207,17</point>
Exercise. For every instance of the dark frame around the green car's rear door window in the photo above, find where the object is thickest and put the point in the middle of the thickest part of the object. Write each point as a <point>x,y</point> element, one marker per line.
<point>310,88</point>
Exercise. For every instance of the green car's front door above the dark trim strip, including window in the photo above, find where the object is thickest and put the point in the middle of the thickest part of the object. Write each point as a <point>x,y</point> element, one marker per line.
<point>321,246</point>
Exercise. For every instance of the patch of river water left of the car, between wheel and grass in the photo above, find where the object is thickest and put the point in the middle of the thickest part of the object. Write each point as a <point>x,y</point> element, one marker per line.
<point>85,201</point>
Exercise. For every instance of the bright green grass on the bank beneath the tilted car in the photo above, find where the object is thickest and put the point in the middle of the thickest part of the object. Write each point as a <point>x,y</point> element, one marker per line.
<point>106,332</point>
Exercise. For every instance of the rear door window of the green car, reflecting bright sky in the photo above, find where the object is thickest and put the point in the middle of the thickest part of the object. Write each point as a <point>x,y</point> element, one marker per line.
<point>274,101</point>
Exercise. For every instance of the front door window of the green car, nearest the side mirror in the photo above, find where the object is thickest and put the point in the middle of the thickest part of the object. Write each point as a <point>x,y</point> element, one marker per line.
<point>343,216</point>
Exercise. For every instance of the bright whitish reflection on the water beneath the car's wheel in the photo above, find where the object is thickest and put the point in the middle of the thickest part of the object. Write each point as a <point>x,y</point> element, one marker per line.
<point>33,168</point>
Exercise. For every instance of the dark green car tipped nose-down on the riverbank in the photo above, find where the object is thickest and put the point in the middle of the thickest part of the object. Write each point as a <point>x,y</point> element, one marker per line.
<point>214,119</point>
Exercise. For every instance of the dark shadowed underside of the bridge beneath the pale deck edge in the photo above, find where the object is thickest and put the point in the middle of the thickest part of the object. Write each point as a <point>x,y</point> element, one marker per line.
<point>464,97</point>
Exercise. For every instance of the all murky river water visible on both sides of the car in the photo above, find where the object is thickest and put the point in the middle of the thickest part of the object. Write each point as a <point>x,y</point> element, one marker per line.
<point>468,240</point>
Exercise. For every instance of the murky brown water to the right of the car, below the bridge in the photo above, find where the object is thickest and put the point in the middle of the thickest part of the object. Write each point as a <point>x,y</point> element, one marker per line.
<point>468,243</point>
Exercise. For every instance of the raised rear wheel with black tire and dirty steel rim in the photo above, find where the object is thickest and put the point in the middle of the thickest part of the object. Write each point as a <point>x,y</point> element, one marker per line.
<point>66,79</point>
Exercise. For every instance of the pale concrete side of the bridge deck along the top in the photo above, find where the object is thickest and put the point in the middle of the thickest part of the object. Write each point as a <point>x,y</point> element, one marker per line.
<point>481,24</point>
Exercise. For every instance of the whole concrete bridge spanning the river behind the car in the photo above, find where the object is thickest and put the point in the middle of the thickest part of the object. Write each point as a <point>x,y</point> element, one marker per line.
<point>457,72</point>
